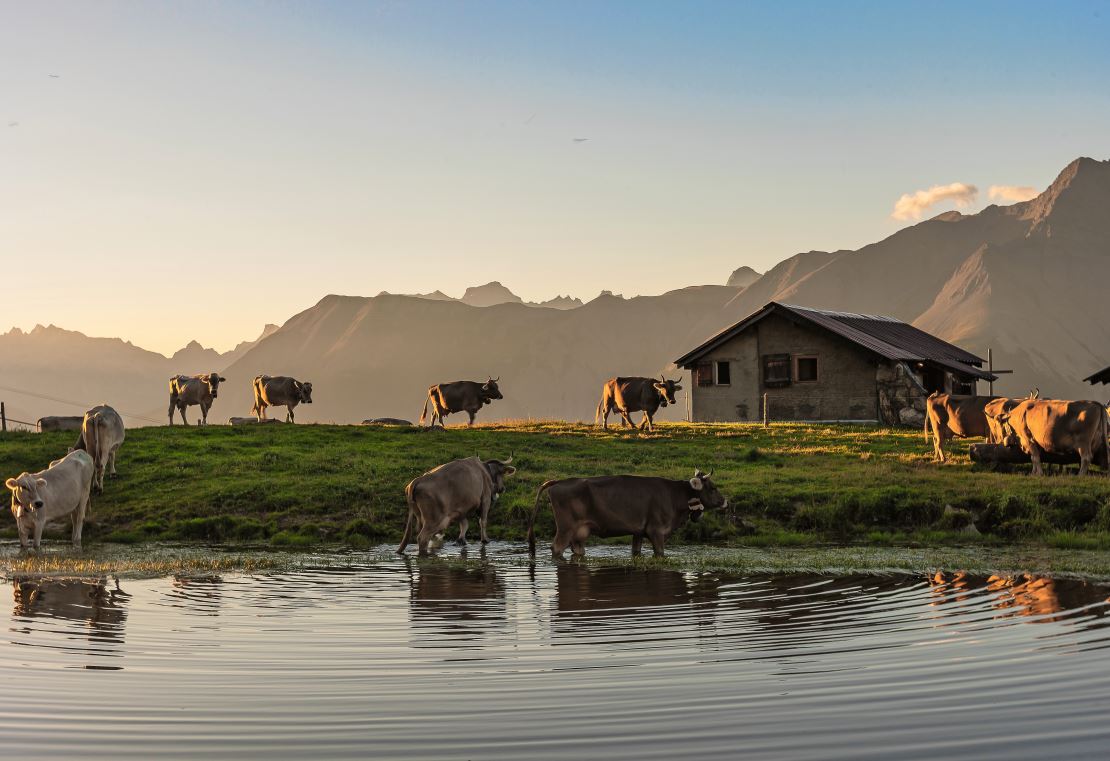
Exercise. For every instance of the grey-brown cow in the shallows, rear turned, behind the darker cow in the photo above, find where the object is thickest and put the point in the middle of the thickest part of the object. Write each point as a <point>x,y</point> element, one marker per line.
<point>451,492</point>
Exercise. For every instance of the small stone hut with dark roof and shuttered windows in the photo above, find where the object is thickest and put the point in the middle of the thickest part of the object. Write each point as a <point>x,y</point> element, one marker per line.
<point>824,367</point>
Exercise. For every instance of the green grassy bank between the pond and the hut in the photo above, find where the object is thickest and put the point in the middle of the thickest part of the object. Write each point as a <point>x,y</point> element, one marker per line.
<point>790,485</point>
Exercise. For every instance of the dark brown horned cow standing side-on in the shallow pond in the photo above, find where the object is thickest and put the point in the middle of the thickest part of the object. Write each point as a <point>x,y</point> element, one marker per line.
<point>612,506</point>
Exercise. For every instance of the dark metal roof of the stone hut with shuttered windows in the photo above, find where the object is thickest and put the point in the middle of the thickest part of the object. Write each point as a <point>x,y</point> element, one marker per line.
<point>886,337</point>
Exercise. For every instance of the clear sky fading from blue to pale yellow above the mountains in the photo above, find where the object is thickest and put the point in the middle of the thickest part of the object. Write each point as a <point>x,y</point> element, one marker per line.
<point>193,171</point>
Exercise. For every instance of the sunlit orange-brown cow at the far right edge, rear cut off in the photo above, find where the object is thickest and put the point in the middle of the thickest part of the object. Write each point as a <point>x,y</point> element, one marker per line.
<point>1058,427</point>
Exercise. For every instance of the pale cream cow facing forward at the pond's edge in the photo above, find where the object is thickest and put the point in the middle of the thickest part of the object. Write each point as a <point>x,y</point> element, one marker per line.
<point>63,490</point>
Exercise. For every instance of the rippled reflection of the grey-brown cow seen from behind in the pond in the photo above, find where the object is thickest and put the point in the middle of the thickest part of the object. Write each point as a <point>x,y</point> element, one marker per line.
<point>456,606</point>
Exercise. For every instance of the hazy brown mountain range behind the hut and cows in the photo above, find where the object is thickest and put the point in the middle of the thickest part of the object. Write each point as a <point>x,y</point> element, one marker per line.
<point>1024,280</point>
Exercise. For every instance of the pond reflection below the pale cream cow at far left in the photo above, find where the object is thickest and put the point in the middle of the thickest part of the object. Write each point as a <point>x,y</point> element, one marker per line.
<point>90,601</point>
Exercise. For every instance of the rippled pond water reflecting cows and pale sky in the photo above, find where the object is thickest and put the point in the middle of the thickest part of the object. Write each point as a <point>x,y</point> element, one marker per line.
<point>432,661</point>
